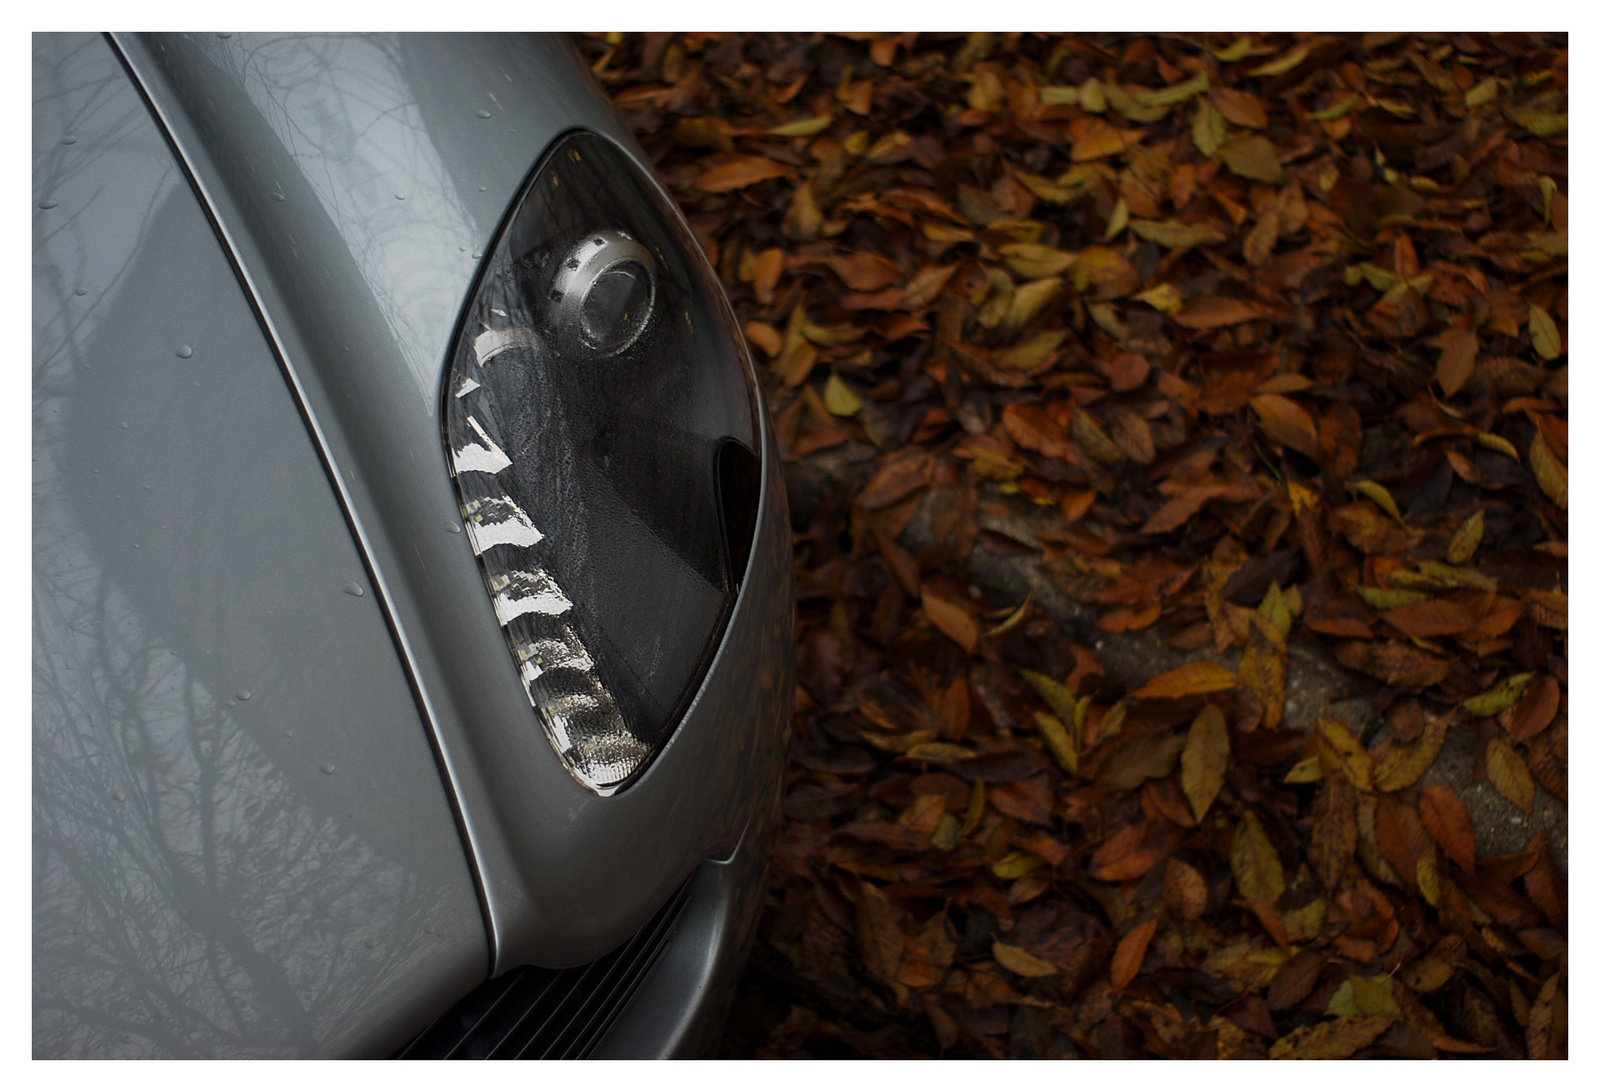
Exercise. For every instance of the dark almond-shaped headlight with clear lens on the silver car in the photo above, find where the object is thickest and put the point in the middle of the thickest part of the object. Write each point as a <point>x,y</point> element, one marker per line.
<point>604,441</point>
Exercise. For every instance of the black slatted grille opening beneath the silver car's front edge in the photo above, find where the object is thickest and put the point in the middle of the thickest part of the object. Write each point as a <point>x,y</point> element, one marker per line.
<point>550,1014</point>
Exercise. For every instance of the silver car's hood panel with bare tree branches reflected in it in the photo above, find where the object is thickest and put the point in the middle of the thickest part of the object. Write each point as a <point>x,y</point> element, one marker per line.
<point>241,841</point>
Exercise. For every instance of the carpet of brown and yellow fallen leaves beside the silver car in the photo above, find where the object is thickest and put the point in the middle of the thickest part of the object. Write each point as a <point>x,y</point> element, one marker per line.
<point>1257,345</point>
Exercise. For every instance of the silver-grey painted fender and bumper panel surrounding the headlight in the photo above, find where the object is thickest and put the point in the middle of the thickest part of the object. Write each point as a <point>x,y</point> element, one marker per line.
<point>305,150</point>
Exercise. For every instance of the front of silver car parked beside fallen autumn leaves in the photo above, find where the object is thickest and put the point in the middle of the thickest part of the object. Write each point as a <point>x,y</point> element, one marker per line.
<point>414,646</point>
